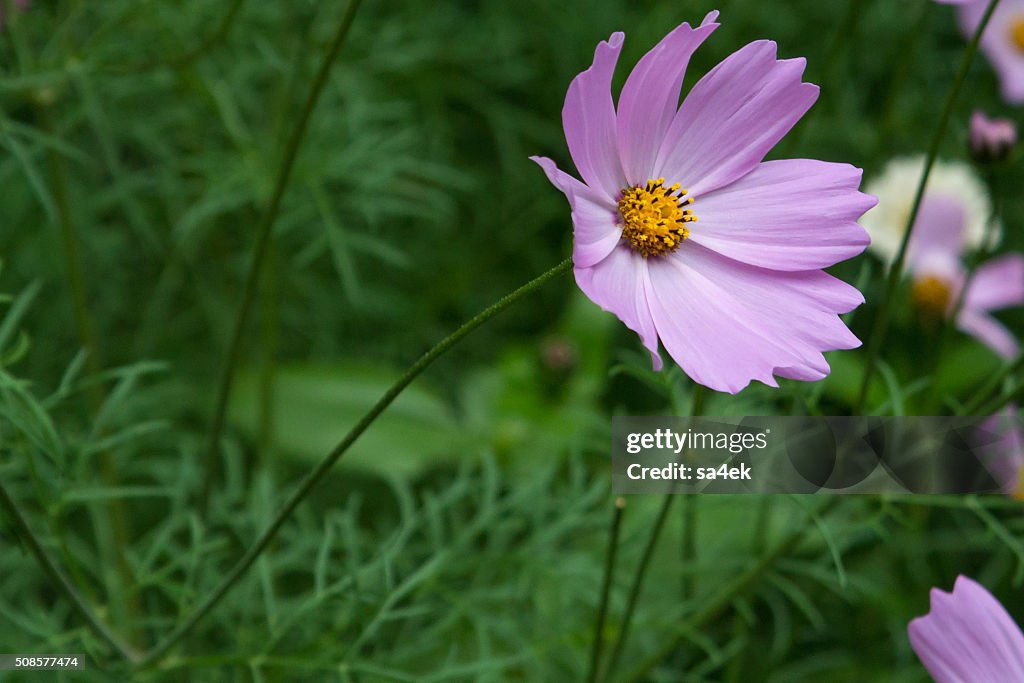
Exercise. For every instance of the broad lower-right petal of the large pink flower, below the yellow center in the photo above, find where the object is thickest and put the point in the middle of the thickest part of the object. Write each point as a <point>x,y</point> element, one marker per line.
<point>727,323</point>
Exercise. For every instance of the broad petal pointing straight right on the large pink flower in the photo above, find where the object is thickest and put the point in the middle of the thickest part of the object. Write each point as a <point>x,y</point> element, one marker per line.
<point>787,216</point>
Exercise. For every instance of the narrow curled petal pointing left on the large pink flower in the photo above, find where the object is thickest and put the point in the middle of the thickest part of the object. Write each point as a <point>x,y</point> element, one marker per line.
<point>594,231</point>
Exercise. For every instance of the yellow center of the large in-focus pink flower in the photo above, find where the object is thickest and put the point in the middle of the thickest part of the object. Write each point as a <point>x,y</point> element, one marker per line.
<point>655,218</point>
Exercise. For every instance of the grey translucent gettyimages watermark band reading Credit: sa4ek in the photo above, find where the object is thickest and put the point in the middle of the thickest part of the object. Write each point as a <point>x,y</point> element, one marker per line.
<point>807,455</point>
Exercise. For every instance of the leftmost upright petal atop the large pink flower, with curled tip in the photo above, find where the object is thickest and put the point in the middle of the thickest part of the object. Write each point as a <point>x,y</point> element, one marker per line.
<point>589,121</point>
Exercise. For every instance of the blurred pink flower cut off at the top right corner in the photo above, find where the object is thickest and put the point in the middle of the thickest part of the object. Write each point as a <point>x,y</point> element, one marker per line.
<point>1003,42</point>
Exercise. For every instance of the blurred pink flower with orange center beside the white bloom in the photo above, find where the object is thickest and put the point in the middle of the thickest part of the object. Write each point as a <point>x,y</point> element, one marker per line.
<point>934,264</point>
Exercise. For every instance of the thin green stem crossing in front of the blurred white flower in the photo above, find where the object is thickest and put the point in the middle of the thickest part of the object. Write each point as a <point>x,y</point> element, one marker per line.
<point>897,272</point>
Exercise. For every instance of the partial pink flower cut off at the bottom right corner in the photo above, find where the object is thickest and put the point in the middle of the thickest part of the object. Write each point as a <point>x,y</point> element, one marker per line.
<point>968,637</point>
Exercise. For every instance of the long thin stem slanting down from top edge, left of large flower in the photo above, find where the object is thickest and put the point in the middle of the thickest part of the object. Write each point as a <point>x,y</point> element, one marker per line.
<point>261,249</point>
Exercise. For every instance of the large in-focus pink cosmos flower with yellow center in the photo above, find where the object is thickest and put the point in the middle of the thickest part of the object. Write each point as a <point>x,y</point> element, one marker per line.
<point>739,295</point>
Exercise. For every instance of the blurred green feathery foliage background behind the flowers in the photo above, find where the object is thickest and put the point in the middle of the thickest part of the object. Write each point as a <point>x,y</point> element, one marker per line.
<point>463,538</point>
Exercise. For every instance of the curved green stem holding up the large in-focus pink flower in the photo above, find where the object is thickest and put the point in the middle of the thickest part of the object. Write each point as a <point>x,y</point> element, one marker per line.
<point>312,480</point>
